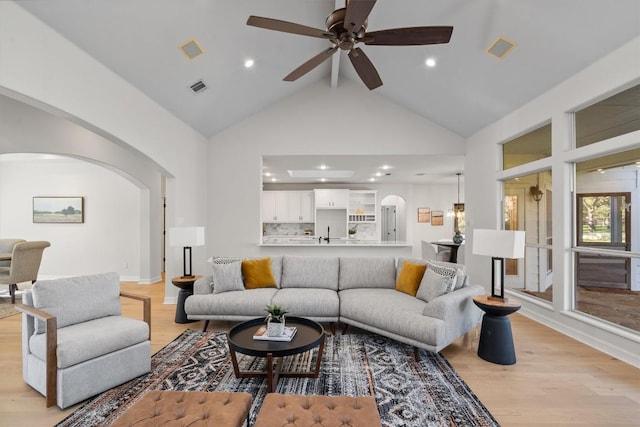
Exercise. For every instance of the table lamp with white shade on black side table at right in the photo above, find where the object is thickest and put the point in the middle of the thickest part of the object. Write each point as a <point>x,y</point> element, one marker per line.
<point>498,244</point>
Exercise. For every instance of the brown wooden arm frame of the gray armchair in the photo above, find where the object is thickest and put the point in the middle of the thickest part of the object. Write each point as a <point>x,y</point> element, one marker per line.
<point>51,329</point>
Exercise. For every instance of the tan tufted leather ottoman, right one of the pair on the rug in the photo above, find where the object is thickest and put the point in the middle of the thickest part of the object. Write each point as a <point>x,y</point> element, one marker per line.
<point>285,410</point>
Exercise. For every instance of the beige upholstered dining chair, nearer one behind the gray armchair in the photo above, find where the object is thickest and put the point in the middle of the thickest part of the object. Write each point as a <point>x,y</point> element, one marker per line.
<point>25,263</point>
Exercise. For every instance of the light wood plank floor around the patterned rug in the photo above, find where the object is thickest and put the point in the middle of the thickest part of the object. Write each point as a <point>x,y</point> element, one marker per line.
<point>556,381</point>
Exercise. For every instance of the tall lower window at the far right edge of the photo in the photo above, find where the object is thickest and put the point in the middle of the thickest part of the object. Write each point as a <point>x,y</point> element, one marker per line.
<point>607,249</point>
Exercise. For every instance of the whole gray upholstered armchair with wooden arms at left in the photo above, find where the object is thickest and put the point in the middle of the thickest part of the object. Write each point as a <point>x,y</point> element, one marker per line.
<point>76,344</point>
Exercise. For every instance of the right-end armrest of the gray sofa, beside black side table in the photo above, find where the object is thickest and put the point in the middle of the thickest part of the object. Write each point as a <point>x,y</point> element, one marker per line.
<point>455,305</point>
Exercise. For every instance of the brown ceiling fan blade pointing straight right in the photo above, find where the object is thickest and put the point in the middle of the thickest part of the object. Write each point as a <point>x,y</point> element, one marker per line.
<point>409,36</point>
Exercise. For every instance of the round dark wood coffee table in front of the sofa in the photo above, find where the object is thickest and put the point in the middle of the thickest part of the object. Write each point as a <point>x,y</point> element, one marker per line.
<point>309,335</point>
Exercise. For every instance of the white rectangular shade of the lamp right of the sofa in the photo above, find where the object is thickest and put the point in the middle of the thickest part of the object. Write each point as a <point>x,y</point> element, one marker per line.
<point>498,243</point>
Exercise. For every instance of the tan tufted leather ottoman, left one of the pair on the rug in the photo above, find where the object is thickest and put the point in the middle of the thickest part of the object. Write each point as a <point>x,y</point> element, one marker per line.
<point>188,408</point>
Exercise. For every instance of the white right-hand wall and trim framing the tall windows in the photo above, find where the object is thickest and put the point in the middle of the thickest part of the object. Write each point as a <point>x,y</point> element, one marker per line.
<point>618,70</point>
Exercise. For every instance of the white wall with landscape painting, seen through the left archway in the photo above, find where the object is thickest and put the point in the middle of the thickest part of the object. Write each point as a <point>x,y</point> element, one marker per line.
<point>102,243</point>
